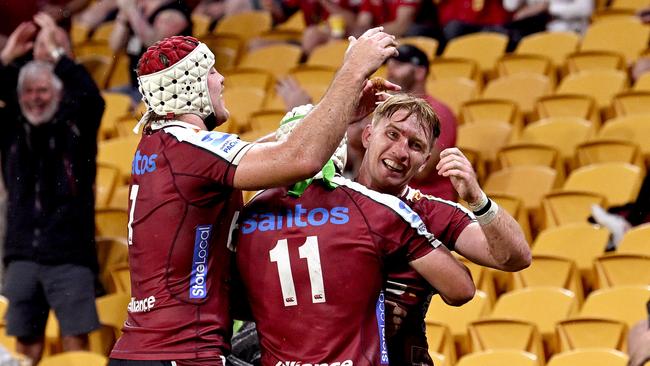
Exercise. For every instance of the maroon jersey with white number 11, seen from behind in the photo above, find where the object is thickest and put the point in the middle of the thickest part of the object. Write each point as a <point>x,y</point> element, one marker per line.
<point>312,267</point>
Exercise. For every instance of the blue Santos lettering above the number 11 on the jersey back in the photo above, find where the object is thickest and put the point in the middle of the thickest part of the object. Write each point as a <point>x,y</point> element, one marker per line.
<point>300,217</point>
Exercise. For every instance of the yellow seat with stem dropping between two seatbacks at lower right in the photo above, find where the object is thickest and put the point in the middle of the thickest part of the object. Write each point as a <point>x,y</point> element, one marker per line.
<point>543,306</point>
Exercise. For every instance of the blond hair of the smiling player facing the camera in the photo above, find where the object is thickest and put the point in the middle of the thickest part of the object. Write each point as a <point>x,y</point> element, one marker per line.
<point>418,107</point>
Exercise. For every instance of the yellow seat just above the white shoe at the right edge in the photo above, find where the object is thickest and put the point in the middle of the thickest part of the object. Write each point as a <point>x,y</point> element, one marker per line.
<point>619,183</point>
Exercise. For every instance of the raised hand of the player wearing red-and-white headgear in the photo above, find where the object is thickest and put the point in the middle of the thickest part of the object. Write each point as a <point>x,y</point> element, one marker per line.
<point>368,52</point>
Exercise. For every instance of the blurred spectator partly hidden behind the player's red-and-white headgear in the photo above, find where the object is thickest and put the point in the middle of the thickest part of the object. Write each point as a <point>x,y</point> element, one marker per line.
<point>140,24</point>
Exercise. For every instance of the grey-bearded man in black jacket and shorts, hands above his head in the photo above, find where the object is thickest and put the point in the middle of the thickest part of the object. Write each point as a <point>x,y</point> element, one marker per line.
<point>48,147</point>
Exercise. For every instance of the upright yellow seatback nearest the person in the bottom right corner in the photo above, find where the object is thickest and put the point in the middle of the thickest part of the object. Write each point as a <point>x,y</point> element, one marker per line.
<point>578,333</point>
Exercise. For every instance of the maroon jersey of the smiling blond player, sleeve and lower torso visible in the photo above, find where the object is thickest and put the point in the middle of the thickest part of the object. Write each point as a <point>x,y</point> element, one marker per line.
<point>446,220</point>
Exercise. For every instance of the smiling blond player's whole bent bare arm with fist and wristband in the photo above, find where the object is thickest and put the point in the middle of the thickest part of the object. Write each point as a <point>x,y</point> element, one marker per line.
<point>496,241</point>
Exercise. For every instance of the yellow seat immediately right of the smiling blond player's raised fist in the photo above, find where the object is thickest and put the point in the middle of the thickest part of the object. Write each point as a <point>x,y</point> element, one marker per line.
<point>529,183</point>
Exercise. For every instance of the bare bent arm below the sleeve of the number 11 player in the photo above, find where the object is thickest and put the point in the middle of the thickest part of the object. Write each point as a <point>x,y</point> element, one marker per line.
<point>447,275</point>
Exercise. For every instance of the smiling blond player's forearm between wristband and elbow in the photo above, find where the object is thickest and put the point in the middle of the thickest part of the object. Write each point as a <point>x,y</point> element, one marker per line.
<point>506,243</point>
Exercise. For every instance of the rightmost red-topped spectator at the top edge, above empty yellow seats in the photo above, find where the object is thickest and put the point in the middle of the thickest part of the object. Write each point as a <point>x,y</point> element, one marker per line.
<point>460,17</point>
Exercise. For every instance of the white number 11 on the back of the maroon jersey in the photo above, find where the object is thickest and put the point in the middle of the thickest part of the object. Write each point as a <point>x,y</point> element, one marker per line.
<point>309,251</point>
